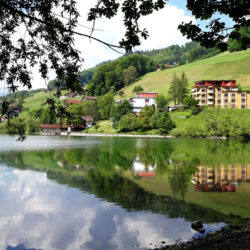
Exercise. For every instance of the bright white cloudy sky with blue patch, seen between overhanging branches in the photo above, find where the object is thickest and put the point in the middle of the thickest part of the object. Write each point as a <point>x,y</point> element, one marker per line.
<point>161,25</point>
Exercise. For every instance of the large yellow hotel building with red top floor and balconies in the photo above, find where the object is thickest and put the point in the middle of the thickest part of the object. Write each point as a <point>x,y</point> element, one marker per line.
<point>221,94</point>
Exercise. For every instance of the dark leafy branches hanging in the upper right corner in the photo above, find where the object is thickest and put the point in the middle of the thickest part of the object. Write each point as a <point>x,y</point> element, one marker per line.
<point>217,34</point>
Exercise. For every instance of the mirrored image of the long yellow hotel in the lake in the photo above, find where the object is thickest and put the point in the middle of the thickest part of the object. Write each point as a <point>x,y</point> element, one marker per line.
<point>221,179</point>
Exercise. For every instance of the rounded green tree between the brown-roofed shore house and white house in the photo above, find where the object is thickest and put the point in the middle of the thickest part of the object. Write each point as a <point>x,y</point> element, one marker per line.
<point>105,105</point>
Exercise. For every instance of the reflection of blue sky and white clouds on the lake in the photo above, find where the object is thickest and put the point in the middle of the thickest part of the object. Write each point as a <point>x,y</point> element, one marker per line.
<point>37,213</point>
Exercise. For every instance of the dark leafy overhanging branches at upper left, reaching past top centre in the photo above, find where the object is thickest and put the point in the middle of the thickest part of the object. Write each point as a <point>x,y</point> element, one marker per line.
<point>50,41</point>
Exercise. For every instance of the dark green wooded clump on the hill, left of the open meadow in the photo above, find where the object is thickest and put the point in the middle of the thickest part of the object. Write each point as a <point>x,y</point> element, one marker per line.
<point>118,73</point>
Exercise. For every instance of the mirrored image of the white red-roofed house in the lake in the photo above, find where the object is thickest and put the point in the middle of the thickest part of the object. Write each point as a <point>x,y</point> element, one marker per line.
<point>140,169</point>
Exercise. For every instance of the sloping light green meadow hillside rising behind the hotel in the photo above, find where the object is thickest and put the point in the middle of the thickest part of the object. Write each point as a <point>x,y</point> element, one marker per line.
<point>223,66</point>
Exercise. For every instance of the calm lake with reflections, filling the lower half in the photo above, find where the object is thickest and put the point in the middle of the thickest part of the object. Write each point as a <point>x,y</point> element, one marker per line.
<point>118,193</point>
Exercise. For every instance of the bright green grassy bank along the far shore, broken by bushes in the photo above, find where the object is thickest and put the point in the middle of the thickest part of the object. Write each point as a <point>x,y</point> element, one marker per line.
<point>210,122</point>
